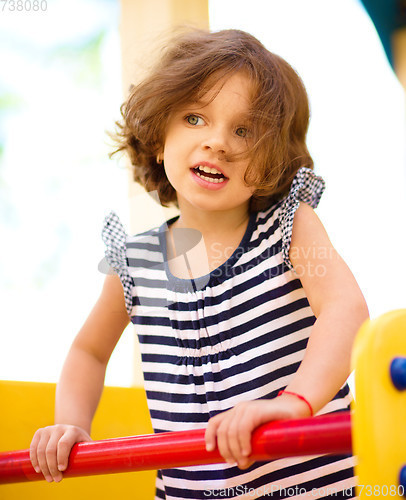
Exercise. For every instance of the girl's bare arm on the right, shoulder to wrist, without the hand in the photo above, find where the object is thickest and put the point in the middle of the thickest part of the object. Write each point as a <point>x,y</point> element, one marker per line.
<point>337,303</point>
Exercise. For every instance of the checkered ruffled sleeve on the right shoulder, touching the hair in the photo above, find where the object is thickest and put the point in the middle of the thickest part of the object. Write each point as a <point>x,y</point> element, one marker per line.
<point>306,187</point>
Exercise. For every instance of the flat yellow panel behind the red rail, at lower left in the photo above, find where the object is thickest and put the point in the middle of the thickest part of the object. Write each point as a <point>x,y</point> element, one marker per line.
<point>122,411</point>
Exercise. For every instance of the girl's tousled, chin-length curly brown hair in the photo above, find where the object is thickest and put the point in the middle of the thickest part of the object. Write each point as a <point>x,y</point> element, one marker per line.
<point>194,60</point>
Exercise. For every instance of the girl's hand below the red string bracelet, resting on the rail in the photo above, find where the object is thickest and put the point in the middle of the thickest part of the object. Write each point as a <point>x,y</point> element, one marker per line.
<point>232,429</point>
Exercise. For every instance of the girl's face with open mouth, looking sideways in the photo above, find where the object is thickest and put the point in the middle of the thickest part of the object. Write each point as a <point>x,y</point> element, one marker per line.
<point>199,138</point>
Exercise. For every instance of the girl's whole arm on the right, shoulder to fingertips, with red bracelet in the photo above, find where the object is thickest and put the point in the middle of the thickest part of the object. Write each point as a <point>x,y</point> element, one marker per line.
<point>340,309</point>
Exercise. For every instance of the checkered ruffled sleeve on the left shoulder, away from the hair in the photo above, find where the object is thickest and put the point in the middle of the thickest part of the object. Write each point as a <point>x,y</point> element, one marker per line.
<point>114,237</point>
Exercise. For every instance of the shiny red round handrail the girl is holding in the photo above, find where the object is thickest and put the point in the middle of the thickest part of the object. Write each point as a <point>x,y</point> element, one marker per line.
<point>327,434</point>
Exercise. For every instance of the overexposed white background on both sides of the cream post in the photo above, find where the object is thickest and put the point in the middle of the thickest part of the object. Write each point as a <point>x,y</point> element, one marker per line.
<point>61,88</point>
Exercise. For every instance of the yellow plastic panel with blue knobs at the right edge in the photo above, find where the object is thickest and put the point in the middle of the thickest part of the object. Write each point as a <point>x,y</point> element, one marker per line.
<point>379,419</point>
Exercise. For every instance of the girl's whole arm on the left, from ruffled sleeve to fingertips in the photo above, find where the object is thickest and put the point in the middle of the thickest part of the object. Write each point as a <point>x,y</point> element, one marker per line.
<point>81,382</point>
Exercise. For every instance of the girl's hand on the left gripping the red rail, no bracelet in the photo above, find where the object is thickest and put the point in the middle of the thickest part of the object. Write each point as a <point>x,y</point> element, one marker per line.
<point>50,448</point>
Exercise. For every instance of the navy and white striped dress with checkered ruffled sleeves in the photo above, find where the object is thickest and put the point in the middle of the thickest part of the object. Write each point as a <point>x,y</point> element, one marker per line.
<point>237,334</point>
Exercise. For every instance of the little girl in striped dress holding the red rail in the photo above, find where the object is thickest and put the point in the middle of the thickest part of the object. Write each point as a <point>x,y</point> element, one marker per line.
<point>245,312</point>
